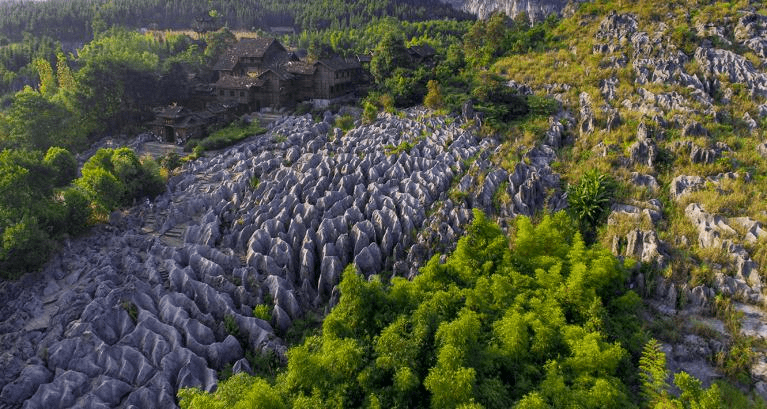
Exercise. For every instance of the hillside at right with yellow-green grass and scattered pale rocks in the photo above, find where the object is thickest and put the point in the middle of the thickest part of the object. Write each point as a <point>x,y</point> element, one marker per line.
<point>672,104</point>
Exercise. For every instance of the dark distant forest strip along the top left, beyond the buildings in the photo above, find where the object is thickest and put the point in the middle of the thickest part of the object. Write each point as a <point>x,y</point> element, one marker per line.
<point>74,20</point>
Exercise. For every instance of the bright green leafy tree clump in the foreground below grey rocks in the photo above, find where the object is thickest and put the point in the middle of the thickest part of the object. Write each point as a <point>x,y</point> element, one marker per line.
<point>496,326</point>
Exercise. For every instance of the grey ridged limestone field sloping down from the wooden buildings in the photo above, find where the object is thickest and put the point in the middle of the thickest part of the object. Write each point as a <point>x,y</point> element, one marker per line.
<point>163,297</point>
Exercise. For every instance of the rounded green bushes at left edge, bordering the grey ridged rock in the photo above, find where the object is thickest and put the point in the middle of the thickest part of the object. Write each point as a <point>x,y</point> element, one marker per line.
<point>41,202</point>
